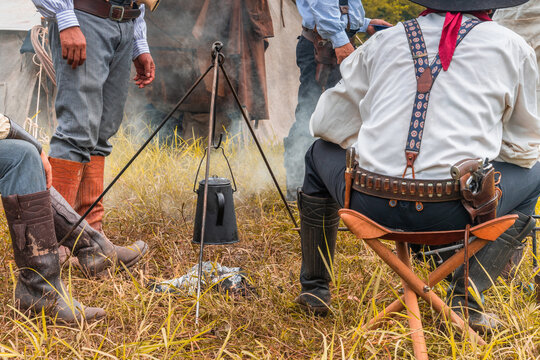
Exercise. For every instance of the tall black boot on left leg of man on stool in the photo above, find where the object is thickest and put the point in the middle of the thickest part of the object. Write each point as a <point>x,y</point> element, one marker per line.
<point>319,221</point>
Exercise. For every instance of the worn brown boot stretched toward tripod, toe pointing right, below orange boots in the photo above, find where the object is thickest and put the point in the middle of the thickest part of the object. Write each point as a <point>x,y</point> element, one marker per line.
<point>95,253</point>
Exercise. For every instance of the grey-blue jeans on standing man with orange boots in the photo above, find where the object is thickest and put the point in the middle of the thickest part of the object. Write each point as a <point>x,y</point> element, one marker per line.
<point>90,100</point>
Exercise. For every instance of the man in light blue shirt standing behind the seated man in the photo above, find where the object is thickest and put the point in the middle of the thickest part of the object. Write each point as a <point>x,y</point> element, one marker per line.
<point>327,26</point>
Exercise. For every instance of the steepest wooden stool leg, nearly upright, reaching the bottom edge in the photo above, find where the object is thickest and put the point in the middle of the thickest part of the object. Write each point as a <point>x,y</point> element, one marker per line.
<point>411,300</point>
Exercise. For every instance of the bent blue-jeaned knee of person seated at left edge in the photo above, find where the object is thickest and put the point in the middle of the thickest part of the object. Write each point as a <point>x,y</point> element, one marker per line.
<point>21,169</point>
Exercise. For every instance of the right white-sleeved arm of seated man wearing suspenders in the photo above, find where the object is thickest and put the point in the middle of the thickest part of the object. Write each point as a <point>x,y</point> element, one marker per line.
<point>521,123</point>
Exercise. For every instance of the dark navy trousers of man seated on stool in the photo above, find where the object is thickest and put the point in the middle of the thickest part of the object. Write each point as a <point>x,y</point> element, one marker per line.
<point>325,177</point>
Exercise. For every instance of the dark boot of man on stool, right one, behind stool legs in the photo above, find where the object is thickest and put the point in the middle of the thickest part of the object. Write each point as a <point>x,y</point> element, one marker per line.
<point>484,269</point>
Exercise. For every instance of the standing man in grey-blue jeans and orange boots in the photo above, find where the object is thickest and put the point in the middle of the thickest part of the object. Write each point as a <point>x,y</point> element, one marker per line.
<point>92,44</point>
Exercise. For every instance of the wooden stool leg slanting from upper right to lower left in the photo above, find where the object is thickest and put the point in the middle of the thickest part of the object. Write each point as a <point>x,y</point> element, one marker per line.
<point>434,278</point>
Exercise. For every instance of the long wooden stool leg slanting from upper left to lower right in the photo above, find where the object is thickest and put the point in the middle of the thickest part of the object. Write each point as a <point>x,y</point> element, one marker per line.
<point>419,287</point>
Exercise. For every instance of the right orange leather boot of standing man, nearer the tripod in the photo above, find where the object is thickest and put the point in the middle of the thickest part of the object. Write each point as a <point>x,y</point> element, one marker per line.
<point>89,190</point>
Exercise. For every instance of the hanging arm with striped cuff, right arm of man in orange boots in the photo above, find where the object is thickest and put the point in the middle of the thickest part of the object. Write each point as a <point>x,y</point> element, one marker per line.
<point>144,64</point>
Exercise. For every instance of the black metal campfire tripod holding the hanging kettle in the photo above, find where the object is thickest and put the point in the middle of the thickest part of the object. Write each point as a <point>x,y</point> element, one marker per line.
<point>217,64</point>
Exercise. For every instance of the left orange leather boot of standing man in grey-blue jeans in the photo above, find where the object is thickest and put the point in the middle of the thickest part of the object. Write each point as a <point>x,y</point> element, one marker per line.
<point>67,178</point>
